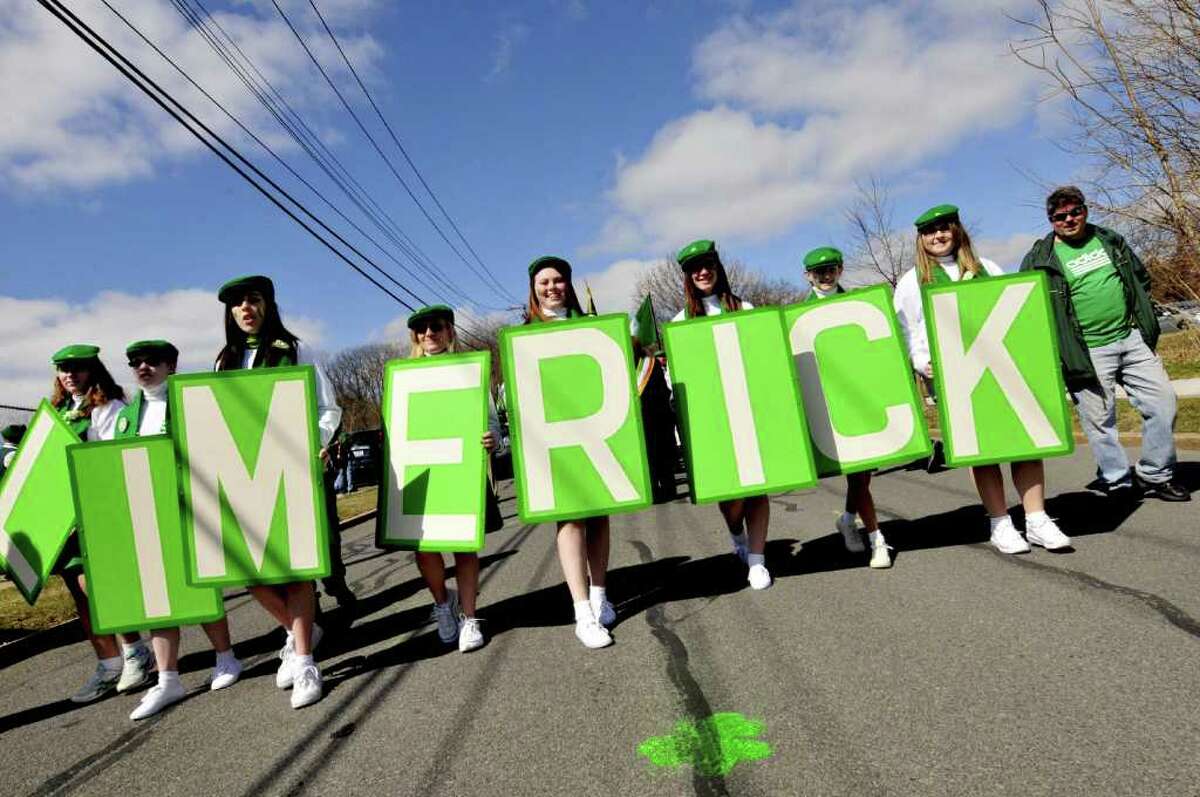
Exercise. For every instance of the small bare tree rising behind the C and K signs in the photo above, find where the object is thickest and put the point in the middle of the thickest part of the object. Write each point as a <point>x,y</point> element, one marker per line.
<point>881,251</point>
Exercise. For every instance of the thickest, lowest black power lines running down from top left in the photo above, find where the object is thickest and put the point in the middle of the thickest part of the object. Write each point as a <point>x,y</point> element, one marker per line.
<point>161,98</point>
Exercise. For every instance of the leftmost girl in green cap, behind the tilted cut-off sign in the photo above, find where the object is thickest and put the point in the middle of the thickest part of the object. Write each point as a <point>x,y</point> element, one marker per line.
<point>89,402</point>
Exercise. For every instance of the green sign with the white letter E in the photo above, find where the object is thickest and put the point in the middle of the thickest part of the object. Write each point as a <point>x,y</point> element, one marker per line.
<point>435,414</point>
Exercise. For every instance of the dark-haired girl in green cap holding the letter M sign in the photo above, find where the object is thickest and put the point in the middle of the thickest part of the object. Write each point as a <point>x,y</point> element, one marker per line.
<point>257,339</point>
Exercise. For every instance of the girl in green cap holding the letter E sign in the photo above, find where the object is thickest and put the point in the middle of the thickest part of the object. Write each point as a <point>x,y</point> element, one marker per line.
<point>431,333</point>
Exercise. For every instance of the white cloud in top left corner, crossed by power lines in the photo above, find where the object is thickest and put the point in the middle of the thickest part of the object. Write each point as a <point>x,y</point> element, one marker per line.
<point>71,121</point>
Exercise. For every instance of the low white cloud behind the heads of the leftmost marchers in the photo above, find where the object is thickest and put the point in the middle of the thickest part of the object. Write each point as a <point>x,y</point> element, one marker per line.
<point>33,329</point>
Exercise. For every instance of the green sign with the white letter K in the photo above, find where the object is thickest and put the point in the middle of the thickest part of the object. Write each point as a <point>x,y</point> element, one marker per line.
<point>1001,395</point>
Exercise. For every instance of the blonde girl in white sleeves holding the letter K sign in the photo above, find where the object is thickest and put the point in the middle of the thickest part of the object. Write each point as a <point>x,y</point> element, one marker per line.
<point>945,255</point>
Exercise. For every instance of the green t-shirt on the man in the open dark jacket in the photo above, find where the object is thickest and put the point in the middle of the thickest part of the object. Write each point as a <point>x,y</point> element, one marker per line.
<point>1096,292</point>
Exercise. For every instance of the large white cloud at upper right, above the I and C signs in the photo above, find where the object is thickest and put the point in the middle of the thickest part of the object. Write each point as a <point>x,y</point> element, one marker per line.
<point>808,101</point>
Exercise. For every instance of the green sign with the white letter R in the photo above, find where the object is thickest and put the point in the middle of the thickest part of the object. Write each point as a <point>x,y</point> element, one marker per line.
<point>577,423</point>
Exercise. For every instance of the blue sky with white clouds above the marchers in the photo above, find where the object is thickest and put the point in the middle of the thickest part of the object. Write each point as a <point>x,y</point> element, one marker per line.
<point>611,134</point>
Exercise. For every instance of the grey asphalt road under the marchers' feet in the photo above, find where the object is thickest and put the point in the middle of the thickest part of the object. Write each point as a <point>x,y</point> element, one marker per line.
<point>961,672</point>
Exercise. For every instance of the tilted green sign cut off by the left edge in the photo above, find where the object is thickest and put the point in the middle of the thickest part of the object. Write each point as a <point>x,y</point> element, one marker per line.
<point>37,511</point>
